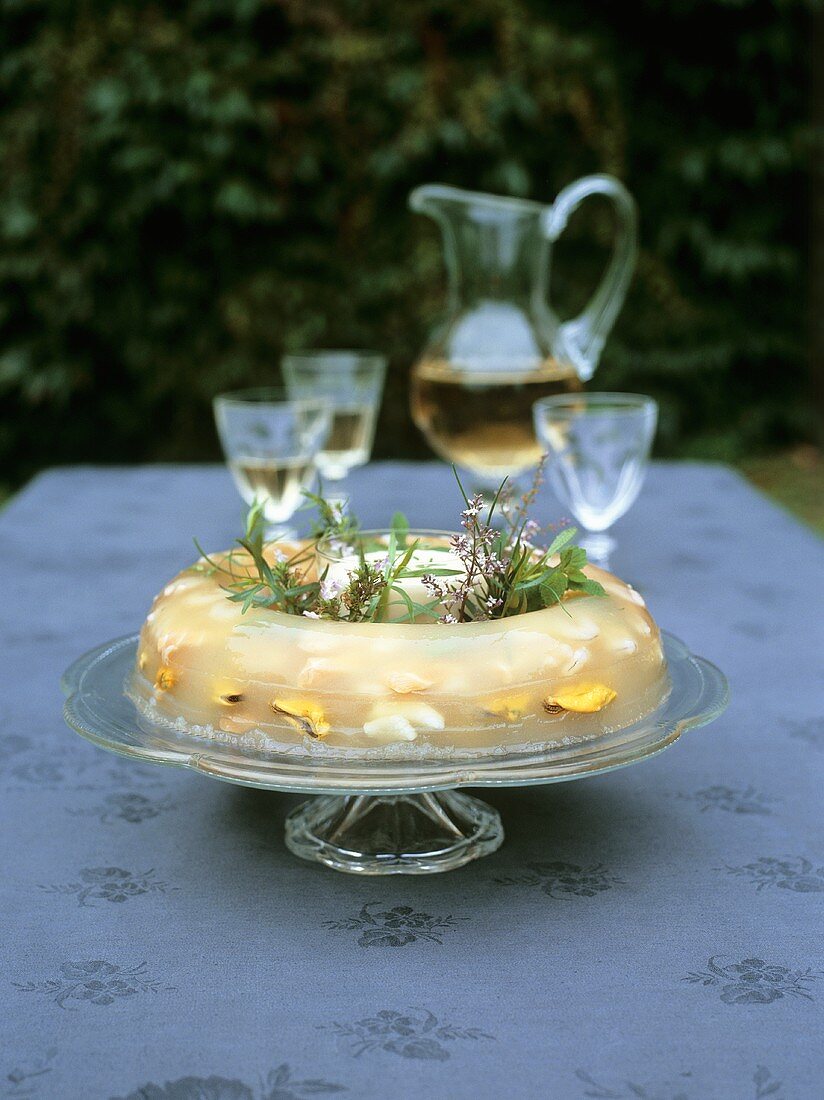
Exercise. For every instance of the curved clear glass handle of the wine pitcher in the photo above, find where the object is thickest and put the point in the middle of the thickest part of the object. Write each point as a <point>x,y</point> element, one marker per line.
<point>581,340</point>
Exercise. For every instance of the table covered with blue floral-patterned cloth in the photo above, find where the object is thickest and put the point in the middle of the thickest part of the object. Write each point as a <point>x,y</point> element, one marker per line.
<point>651,933</point>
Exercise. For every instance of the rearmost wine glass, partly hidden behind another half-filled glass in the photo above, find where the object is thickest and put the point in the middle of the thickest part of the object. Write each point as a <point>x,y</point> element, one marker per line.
<point>353,384</point>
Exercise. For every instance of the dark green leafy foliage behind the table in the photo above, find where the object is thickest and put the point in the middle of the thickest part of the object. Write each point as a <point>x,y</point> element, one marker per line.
<point>188,190</point>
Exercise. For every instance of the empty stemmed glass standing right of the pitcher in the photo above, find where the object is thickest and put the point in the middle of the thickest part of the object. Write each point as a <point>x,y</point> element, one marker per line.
<point>599,447</point>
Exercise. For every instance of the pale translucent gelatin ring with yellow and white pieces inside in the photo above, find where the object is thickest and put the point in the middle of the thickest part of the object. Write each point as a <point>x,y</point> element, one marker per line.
<point>575,672</point>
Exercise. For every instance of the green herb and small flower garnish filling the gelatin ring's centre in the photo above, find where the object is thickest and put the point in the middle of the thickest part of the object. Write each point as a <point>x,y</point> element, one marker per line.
<point>503,571</point>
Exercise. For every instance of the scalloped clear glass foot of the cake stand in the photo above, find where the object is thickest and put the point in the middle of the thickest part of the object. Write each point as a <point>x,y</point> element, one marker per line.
<point>403,834</point>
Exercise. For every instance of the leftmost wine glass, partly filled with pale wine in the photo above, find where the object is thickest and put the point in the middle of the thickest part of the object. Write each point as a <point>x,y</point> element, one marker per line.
<point>272,444</point>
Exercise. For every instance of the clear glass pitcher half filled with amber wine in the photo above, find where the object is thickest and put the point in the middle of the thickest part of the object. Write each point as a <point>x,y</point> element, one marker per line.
<point>500,347</point>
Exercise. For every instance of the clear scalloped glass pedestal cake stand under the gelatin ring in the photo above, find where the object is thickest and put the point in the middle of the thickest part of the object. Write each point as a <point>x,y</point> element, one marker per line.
<point>382,816</point>
